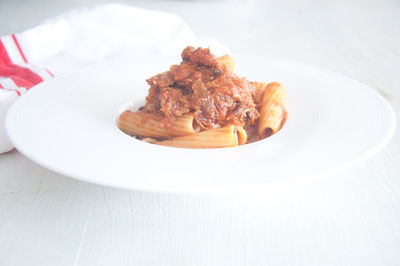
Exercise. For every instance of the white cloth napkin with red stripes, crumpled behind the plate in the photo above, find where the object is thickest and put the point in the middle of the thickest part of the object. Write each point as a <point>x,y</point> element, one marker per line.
<point>82,37</point>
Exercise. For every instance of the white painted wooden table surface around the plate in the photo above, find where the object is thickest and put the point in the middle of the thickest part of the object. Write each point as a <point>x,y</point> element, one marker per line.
<point>352,218</point>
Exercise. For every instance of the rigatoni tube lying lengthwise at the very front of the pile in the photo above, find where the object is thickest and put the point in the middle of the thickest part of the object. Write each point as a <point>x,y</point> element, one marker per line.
<point>229,136</point>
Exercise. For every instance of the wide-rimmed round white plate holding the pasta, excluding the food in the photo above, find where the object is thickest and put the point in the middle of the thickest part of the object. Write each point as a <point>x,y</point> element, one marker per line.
<point>67,124</point>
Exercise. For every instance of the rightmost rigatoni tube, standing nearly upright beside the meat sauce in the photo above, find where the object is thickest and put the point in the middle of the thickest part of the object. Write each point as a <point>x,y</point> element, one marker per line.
<point>273,109</point>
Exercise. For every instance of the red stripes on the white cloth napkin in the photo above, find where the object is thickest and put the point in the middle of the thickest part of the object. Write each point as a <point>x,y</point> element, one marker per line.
<point>22,76</point>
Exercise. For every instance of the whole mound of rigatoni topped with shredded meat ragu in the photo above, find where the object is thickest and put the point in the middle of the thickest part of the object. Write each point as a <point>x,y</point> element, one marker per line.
<point>201,103</point>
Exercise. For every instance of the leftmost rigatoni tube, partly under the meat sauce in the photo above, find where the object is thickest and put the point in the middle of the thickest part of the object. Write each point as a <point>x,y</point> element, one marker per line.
<point>148,125</point>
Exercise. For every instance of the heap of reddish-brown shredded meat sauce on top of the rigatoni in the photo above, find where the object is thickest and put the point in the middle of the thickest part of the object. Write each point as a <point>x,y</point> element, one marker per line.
<point>202,85</point>
